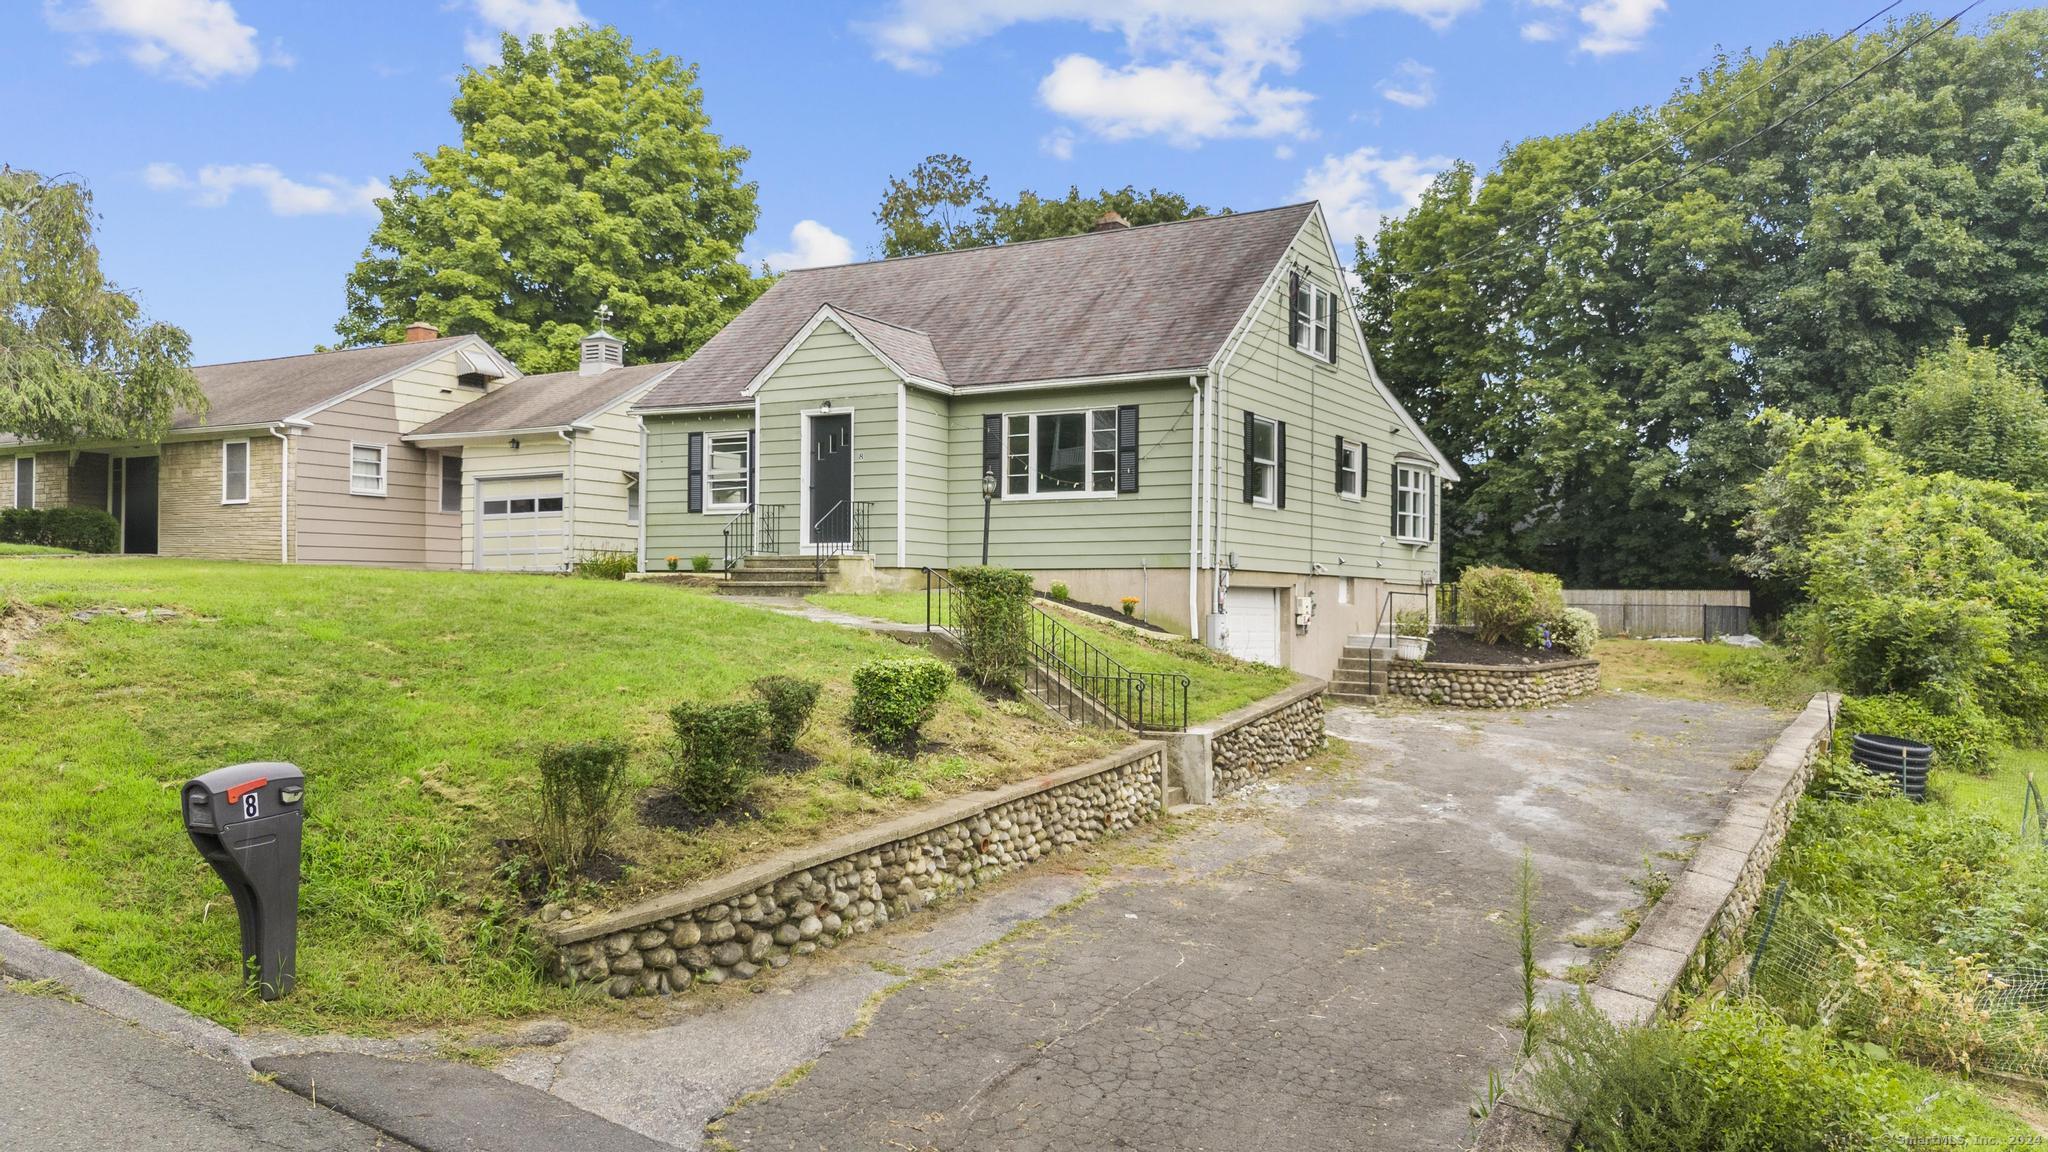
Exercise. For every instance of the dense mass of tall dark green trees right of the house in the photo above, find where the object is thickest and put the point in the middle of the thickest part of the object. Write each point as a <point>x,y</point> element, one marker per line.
<point>1596,323</point>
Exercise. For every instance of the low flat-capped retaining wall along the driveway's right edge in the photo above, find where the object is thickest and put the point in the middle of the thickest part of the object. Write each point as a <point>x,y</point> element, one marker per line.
<point>1699,925</point>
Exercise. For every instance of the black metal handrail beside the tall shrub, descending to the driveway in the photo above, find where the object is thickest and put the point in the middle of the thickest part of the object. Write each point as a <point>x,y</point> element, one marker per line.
<point>1068,673</point>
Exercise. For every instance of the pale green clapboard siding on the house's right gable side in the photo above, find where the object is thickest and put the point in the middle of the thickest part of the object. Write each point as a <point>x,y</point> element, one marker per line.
<point>1320,403</point>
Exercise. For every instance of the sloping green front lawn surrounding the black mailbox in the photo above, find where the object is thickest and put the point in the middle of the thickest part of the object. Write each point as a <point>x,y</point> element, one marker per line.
<point>415,702</point>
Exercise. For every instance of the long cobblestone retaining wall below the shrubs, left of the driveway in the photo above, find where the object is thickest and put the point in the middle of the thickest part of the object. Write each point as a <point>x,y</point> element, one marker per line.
<point>800,903</point>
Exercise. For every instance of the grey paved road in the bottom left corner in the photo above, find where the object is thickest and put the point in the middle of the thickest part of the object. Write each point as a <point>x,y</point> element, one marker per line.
<point>75,1079</point>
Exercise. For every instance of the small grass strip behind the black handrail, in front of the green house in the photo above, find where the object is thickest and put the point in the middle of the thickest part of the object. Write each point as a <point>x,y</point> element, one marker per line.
<point>1218,684</point>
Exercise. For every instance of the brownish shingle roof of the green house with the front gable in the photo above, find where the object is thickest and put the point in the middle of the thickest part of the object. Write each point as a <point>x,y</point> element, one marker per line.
<point>1134,300</point>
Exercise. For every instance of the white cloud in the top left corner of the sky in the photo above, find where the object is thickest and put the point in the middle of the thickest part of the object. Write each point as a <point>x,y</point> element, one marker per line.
<point>196,42</point>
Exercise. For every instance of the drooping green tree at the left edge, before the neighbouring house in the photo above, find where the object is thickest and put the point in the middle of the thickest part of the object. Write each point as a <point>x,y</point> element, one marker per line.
<point>77,358</point>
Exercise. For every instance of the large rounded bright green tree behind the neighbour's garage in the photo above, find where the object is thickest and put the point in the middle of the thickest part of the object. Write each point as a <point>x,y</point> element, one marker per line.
<point>587,175</point>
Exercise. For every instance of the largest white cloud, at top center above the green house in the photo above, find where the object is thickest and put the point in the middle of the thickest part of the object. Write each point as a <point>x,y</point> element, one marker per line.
<point>1197,69</point>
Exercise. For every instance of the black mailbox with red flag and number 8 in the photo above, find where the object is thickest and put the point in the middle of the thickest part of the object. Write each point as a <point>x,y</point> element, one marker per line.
<point>247,821</point>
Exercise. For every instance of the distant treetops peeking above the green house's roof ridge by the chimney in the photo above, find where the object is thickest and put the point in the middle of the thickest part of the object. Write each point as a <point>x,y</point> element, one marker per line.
<point>943,206</point>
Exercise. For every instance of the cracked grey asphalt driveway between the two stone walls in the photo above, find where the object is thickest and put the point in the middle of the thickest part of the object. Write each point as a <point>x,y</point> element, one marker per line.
<point>1322,962</point>
